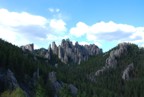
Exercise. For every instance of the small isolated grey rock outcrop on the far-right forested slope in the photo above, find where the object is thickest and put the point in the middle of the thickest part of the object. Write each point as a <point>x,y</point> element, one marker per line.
<point>128,72</point>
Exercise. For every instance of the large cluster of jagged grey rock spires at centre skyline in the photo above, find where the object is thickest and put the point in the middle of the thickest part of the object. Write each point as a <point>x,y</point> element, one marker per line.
<point>67,52</point>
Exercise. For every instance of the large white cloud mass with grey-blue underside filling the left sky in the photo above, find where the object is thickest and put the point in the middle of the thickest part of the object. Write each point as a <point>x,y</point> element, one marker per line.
<point>22,27</point>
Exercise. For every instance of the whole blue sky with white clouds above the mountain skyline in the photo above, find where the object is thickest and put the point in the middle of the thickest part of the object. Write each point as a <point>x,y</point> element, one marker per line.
<point>105,23</point>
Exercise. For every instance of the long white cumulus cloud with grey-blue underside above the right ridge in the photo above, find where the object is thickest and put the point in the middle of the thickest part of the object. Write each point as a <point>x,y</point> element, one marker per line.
<point>109,31</point>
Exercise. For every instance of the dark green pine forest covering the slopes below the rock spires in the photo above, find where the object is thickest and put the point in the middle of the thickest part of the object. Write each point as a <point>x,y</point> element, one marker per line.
<point>26,74</point>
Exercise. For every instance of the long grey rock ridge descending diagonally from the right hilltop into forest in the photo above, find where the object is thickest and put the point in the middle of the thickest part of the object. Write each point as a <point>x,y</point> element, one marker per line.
<point>111,61</point>
